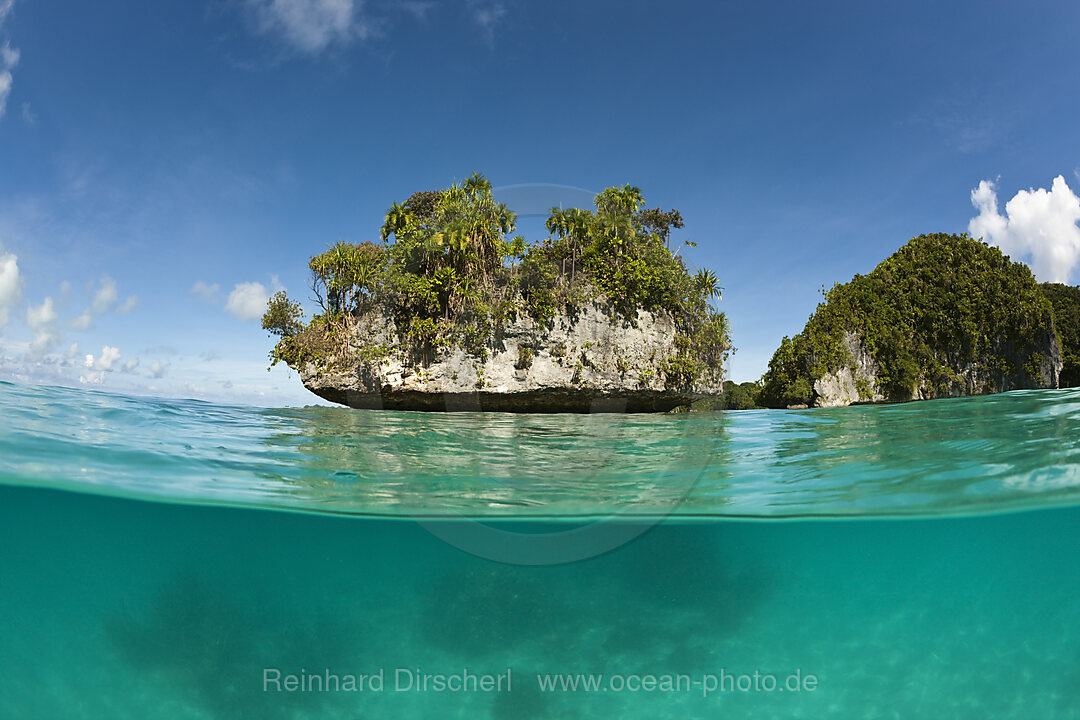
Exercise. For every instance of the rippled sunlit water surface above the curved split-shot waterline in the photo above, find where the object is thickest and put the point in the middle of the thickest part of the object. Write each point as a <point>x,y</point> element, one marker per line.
<point>978,455</point>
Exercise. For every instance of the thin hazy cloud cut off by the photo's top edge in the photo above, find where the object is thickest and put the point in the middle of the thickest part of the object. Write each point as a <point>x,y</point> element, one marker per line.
<point>310,26</point>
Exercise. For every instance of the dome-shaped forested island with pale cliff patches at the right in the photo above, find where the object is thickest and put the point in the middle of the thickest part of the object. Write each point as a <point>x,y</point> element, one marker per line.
<point>944,317</point>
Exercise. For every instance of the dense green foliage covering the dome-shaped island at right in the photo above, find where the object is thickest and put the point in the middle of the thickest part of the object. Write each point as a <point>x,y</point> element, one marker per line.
<point>940,303</point>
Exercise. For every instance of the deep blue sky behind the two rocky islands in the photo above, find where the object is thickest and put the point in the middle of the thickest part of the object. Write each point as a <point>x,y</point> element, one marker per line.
<point>159,160</point>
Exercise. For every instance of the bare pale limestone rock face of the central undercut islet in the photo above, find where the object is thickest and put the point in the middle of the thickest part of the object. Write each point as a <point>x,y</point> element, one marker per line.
<point>589,363</point>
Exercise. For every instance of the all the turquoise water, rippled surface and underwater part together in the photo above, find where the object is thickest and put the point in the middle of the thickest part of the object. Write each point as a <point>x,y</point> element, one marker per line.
<point>917,561</point>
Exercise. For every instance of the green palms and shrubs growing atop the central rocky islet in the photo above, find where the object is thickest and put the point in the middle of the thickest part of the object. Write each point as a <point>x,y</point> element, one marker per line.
<point>451,274</point>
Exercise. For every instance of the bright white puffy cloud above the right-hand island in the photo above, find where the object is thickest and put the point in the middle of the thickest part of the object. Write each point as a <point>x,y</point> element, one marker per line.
<point>1039,227</point>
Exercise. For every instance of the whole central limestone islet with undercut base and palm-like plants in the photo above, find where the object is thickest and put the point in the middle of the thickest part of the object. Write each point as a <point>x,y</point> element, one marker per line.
<point>451,311</point>
